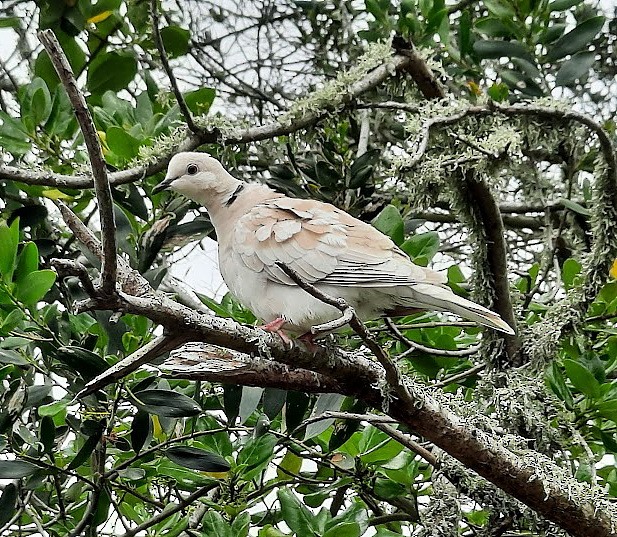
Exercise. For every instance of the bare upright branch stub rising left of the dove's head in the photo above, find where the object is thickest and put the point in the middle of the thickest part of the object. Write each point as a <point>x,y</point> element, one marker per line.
<point>99,171</point>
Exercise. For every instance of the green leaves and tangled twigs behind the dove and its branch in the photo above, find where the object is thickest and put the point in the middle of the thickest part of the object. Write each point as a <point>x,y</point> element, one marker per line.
<point>161,456</point>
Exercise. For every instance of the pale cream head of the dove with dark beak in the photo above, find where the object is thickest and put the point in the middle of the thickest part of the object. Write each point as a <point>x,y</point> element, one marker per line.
<point>197,176</point>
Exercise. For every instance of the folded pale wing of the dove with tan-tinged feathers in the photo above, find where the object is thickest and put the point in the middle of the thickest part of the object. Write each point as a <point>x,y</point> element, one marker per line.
<point>322,244</point>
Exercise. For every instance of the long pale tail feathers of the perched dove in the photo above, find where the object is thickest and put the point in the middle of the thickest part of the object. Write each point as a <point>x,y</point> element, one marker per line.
<point>437,298</point>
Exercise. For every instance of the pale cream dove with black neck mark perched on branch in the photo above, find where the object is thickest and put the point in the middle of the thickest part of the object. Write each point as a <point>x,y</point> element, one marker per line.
<point>257,227</point>
